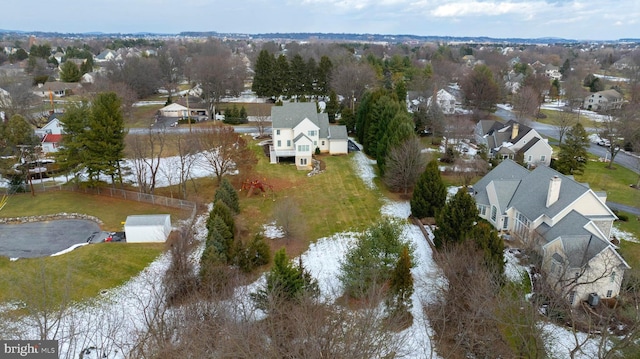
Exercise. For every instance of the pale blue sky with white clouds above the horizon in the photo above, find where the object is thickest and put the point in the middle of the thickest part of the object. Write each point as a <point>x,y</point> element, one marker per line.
<point>579,19</point>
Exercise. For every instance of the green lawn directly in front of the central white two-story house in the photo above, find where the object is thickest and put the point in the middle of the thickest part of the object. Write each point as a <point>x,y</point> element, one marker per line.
<point>333,201</point>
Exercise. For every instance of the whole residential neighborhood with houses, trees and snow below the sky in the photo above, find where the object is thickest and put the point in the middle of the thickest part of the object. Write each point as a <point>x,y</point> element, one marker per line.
<point>214,195</point>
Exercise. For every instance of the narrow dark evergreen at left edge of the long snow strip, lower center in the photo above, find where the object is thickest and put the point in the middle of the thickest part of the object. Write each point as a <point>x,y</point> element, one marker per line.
<point>401,285</point>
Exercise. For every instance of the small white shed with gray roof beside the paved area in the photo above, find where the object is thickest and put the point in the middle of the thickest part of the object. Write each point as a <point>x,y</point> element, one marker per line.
<point>147,228</point>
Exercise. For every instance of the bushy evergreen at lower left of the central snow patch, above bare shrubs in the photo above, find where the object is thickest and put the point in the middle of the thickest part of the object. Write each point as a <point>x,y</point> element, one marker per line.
<point>285,282</point>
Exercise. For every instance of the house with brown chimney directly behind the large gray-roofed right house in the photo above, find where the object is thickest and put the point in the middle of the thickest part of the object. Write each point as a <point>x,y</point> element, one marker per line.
<point>513,141</point>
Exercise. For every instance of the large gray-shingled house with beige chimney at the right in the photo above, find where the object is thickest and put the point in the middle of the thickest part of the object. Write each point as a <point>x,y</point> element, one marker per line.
<point>565,221</point>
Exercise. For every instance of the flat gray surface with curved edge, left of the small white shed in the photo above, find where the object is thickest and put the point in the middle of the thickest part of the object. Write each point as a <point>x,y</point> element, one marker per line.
<point>40,239</point>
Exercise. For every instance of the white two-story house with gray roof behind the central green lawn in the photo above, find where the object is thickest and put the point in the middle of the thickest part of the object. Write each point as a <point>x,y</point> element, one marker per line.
<point>298,129</point>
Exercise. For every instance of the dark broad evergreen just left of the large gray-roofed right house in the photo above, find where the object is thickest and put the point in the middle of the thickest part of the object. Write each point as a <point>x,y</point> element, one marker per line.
<point>456,219</point>
